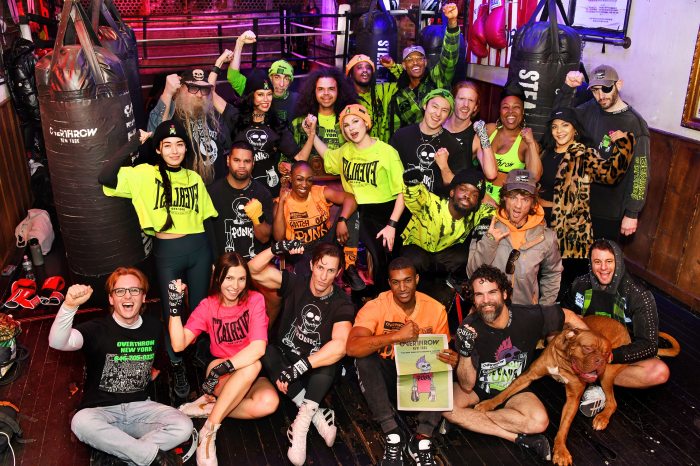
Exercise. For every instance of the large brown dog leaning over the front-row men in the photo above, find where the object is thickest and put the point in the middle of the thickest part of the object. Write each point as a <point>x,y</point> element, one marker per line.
<point>576,358</point>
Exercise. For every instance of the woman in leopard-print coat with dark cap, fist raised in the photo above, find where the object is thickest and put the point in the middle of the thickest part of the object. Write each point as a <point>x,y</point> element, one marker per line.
<point>569,169</point>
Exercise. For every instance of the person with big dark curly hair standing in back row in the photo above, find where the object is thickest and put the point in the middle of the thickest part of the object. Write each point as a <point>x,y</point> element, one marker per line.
<point>324,95</point>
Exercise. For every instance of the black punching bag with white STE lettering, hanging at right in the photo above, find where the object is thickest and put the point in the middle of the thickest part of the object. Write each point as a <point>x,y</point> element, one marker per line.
<point>543,52</point>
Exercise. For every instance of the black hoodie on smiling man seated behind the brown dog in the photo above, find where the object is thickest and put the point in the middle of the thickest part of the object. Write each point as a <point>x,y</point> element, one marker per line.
<point>624,300</point>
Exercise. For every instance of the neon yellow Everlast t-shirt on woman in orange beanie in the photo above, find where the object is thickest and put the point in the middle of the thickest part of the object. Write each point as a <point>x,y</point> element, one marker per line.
<point>374,175</point>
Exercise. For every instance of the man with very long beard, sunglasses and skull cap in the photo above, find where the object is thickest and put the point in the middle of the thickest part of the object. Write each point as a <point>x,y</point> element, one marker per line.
<point>191,99</point>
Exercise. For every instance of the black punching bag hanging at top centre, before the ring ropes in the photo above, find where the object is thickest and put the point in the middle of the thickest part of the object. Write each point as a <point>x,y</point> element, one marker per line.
<point>376,35</point>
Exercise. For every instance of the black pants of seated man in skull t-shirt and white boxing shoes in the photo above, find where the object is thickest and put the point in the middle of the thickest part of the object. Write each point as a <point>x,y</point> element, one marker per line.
<point>317,381</point>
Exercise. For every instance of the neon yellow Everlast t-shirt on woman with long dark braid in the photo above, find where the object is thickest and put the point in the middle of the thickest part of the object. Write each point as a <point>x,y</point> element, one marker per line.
<point>190,206</point>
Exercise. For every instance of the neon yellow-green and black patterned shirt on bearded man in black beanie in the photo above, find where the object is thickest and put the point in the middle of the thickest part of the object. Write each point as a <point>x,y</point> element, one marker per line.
<point>431,226</point>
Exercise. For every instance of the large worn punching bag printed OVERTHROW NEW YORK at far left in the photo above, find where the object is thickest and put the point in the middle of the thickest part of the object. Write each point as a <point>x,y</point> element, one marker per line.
<point>87,118</point>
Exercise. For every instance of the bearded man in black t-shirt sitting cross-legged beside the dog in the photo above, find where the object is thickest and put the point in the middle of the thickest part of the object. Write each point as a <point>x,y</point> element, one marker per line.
<point>496,344</point>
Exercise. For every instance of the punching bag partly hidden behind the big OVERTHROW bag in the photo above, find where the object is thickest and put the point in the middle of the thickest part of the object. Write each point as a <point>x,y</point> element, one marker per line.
<point>118,37</point>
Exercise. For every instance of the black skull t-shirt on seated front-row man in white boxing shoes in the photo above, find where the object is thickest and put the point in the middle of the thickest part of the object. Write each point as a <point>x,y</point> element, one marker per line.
<point>307,321</point>
